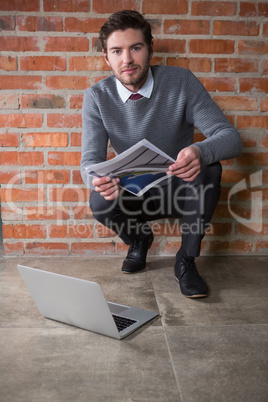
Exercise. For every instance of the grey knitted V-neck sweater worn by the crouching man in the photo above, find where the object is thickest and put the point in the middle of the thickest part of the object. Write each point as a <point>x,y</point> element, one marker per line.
<point>179,102</point>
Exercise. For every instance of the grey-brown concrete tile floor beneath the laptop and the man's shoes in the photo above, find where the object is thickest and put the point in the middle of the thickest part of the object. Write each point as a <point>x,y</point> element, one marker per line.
<point>213,349</point>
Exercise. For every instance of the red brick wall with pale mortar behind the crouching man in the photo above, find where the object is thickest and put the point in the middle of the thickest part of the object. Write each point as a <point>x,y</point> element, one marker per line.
<point>49,56</point>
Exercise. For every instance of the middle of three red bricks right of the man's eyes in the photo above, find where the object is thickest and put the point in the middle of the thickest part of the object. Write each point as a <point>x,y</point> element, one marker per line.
<point>211,46</point>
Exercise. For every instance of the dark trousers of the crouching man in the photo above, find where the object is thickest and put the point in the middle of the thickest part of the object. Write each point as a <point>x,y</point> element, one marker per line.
<point>193,202</point>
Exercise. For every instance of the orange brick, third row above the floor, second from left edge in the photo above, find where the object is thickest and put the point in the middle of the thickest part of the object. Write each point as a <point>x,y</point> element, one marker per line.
<point>46,213</point>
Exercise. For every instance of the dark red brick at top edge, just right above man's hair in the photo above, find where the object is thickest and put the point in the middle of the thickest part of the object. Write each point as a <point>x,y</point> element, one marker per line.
<point>165,7</point>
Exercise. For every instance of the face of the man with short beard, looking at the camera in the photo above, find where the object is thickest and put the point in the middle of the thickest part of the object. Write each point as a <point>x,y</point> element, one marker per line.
<point>128,56</point>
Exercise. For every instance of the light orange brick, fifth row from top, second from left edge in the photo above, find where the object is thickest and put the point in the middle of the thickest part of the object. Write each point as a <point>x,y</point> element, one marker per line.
<point>67,82</point>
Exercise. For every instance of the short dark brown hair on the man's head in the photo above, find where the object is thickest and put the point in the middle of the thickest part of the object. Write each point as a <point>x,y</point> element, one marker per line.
<point>123,20</point>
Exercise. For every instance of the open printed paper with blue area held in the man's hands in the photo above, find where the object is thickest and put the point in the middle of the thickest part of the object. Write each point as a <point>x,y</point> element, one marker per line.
<point>139,168</point>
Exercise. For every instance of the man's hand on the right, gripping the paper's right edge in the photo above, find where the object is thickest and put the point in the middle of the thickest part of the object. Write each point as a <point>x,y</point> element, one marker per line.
<point>187,165</point>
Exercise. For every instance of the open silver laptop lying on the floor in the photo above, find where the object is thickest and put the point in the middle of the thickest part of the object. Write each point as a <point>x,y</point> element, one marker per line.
<point>81,303</point>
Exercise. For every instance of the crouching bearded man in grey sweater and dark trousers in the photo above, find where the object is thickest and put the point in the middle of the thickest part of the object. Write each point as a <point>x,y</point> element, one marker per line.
<point>168,103</point>
